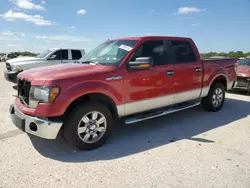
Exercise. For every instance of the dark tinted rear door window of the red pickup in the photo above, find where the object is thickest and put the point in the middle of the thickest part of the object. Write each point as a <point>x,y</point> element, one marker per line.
<point>183,51</point>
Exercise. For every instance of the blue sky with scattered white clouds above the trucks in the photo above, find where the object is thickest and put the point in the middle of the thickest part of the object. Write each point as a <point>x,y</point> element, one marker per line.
<point>35,25</point>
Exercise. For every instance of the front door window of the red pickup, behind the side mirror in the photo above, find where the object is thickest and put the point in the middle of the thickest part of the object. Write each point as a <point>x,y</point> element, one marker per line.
<point>155,49</point>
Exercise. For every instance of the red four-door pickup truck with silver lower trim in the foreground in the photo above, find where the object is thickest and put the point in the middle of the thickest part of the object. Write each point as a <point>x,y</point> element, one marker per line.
<point>137,78</point>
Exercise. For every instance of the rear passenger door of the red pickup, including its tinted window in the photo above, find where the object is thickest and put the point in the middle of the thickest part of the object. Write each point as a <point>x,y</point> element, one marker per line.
<point>187,76</point>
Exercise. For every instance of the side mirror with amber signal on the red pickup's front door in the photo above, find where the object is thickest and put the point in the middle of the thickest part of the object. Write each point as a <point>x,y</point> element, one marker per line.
<point>141,63</point>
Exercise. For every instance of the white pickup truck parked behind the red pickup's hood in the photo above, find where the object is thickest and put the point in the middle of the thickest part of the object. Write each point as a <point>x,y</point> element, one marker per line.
<point>51,56</point>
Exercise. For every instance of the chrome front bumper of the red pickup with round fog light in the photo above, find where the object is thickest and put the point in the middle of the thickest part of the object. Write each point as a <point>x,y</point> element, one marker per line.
<point>33,125</point>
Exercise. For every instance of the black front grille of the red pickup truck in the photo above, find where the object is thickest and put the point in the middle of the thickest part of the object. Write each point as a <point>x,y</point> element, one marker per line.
<point>23,88</point>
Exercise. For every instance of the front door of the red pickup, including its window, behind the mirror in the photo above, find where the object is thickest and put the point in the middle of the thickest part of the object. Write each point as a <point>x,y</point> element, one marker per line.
<point>149,89</point>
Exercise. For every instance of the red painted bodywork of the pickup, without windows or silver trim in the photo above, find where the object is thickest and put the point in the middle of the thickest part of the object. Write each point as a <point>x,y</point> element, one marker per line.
<point>76,80</point>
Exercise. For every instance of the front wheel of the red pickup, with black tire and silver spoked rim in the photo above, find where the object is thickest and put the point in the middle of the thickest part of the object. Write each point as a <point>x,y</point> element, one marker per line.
<point>85,138</point>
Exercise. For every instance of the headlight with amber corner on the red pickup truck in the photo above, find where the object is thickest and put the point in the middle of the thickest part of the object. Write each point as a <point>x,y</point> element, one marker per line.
<point>42,95</point>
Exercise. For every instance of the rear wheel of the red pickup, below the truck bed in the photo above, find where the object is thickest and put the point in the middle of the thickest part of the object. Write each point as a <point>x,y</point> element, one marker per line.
<point>208,102</point>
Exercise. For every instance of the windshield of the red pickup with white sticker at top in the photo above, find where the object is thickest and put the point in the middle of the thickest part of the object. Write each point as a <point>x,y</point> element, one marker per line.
<point>109,53</point>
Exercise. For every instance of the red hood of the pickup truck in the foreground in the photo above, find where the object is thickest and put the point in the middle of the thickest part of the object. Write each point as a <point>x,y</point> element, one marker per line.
<point>62,71</point>
